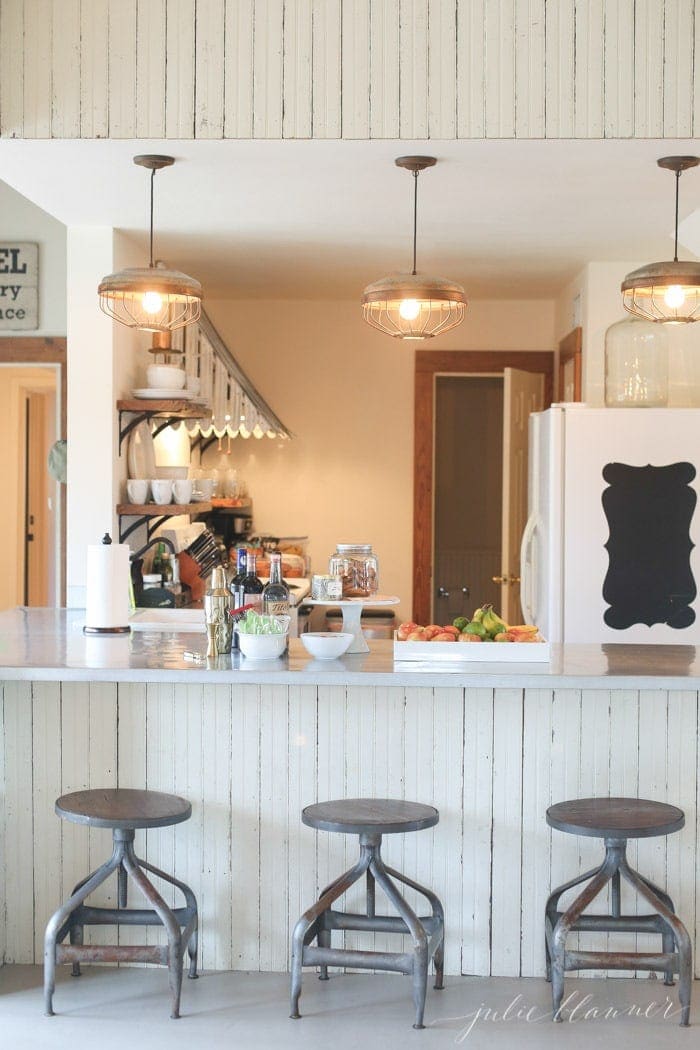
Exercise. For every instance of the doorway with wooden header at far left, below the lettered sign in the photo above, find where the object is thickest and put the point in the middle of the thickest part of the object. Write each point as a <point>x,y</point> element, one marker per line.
<point>32,418</point>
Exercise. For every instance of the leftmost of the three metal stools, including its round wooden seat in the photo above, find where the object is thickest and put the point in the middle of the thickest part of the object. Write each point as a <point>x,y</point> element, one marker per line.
<point>123,810</point>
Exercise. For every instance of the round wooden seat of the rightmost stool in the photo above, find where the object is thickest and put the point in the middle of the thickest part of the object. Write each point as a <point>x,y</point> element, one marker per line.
<point>616,818</point>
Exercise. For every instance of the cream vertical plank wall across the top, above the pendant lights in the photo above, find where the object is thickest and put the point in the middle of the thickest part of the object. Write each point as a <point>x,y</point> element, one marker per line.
<point>349,69</point>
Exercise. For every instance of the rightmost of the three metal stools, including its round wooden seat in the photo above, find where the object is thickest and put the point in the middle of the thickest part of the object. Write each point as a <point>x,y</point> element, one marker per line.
<point>616,821</point>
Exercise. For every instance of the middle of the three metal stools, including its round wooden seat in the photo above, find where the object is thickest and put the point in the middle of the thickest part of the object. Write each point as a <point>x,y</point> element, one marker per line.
<point>371,818</point>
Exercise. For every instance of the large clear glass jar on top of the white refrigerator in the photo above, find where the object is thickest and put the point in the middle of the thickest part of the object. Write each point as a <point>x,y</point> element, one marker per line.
<point>637,365</point>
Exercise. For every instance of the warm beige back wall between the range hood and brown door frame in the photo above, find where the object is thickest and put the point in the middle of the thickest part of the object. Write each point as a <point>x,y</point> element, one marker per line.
<point>347,392</point>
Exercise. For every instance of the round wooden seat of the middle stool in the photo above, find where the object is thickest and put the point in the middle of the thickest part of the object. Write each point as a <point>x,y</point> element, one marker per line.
<point>370,816</point>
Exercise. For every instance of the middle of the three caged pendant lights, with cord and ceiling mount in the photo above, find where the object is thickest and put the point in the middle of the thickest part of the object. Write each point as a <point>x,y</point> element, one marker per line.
<point>412,306</point>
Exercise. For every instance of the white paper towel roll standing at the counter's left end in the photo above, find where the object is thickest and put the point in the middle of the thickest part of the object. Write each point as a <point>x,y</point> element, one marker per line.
<point>108,601</point>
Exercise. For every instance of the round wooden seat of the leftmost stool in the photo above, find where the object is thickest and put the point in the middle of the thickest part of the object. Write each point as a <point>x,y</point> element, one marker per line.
<point>123,808</point>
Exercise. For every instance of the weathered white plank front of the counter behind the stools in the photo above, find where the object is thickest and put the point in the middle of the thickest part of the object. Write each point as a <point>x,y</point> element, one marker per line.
<point>251,758</point>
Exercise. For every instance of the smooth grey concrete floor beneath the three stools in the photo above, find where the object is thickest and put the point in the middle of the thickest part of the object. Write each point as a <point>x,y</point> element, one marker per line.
<point>249,1012</point>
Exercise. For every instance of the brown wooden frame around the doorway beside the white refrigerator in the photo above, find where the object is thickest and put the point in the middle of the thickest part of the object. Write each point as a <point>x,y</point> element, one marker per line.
<point>429,365</point>
